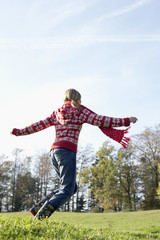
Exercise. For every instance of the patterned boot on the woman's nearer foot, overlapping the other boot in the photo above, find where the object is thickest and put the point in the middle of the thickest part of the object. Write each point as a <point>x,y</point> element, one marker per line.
<point>45,211</point>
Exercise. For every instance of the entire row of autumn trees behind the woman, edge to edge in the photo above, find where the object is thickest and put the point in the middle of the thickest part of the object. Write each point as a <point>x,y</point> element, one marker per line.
<point>111,179</point>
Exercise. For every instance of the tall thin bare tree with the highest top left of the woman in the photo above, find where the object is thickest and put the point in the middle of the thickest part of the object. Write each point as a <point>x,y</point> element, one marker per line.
<point>21,181</point>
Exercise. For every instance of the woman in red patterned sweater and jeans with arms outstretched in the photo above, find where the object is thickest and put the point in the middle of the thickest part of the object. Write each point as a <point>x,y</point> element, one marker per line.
<point>68,121</point>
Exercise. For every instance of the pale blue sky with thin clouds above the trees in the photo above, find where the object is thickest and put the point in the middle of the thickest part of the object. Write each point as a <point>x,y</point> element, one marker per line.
<point>107,50</point>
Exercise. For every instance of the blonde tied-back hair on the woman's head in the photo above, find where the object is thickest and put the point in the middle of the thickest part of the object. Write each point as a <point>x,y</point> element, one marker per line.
<point>74,96</point>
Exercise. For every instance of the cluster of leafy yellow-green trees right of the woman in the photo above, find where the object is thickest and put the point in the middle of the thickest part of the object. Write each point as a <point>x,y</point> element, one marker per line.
<point>127,179</point>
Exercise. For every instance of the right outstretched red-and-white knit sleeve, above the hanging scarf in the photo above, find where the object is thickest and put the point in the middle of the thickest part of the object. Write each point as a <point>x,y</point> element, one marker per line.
<point>104,121</point>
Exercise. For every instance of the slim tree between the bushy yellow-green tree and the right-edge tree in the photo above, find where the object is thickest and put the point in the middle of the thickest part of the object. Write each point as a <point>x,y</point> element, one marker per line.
<point>128,180</point>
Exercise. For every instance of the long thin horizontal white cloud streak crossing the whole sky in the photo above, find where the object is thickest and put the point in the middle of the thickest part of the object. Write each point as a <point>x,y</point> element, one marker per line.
<point>74,42</point>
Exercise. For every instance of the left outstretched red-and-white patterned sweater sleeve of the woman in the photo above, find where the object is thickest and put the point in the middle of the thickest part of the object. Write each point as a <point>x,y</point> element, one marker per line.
<point>35,127</point>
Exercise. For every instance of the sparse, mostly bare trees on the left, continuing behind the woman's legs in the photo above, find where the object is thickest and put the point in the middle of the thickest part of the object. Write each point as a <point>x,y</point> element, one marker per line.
<point>25,180</point>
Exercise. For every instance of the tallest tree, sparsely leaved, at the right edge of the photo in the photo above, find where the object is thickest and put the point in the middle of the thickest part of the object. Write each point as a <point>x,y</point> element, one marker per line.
<point>147,147</point>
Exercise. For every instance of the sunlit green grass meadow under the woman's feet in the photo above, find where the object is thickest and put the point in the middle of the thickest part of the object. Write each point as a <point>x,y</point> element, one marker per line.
<point>83,226</point>
